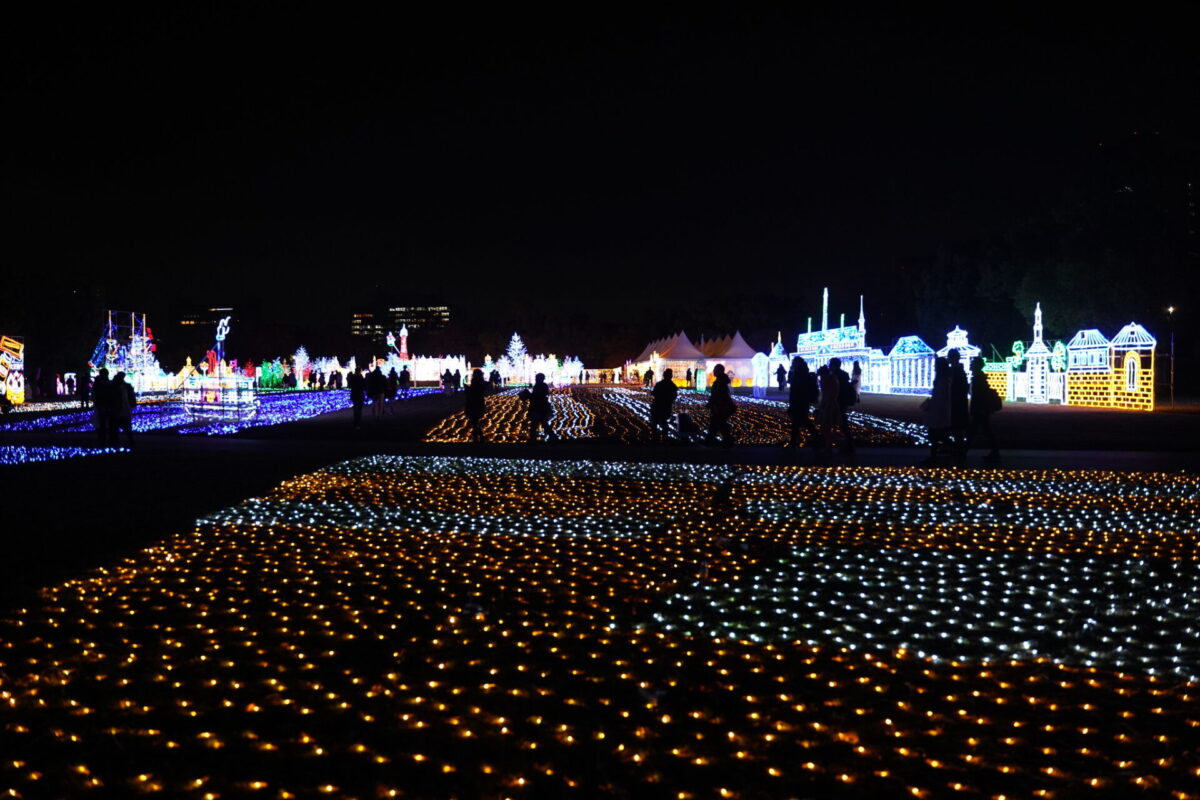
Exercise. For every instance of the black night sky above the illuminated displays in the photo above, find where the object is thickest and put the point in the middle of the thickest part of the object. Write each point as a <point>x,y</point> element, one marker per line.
<point>593,177</point>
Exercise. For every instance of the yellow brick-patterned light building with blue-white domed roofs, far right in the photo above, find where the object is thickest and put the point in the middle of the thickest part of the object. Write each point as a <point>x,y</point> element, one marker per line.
<point>1112,375</point>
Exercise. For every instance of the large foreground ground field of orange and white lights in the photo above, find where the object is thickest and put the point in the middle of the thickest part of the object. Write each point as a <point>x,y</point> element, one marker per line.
<point>418,627</point>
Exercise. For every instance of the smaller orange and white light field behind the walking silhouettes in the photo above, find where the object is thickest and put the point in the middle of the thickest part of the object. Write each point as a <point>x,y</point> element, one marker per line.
<point>622,414</point>
